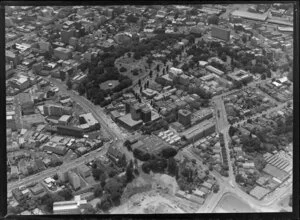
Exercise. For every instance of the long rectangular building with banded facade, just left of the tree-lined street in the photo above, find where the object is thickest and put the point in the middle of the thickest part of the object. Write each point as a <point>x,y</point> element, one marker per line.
<point>198,131</point>
